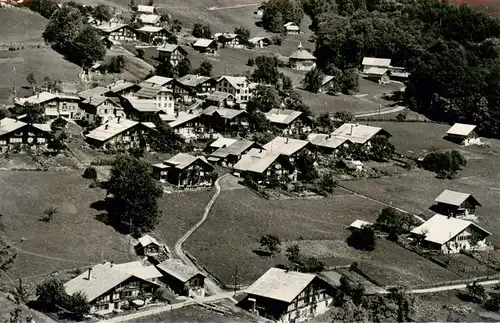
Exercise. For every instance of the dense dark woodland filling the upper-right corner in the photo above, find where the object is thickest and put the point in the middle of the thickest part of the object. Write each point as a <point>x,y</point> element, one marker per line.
<point>452,52</point>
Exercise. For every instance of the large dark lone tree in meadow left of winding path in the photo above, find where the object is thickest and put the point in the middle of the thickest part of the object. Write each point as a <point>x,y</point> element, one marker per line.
<point>134,195</point>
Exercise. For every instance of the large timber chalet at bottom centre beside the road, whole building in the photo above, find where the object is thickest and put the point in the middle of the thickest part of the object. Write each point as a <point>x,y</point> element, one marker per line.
<point>288,296</point>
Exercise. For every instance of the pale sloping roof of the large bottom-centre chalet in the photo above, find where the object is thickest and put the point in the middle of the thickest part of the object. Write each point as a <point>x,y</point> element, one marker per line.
<point>280,284</point>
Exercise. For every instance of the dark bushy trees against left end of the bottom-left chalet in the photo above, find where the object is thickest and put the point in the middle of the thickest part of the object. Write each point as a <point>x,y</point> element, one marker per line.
<point>52,296</point>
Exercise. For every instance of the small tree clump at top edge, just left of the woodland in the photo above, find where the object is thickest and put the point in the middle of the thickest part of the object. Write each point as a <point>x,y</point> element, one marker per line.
<point>278,12</point>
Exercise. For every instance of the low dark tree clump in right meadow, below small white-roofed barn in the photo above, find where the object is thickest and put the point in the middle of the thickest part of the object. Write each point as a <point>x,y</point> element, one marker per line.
<point>445,164</point>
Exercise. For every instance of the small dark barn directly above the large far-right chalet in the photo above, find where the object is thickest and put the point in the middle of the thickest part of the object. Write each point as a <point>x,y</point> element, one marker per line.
<point>456,204</point>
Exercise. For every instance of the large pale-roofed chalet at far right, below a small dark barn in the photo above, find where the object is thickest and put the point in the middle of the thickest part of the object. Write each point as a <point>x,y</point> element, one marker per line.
<point>451,235</point>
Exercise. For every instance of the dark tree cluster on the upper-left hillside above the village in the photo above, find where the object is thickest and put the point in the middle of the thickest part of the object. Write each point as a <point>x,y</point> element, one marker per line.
<point>68,29</point>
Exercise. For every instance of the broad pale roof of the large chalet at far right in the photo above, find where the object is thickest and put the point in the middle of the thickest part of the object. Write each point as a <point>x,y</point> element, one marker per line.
<point>441,229</point>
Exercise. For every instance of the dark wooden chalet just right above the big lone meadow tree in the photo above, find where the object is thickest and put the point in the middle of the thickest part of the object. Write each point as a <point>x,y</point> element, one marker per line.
<point>185,170</point>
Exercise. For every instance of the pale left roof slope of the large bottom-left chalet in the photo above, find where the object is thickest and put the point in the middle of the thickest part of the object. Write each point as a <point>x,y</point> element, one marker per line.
<point>103,278</point>
